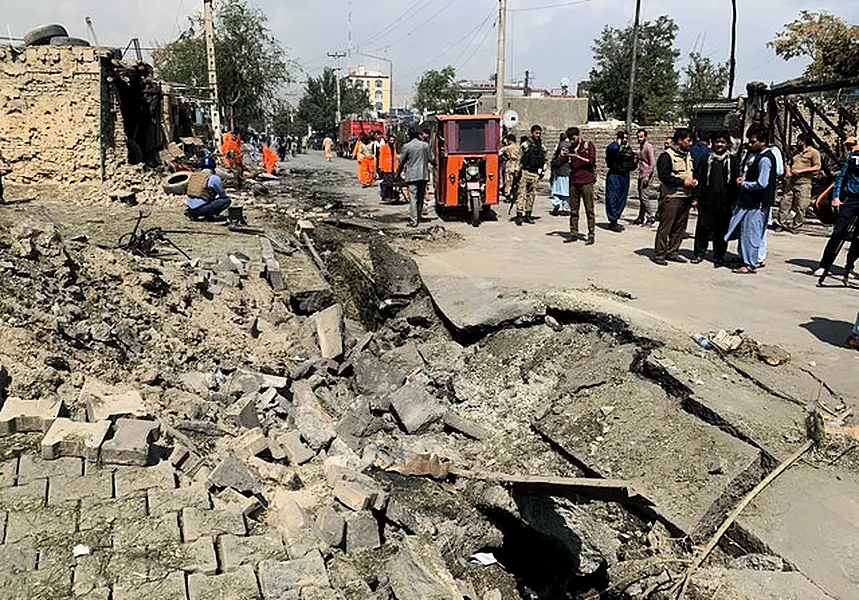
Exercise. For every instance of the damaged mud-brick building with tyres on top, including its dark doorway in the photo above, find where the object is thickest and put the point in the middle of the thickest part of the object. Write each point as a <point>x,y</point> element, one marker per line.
<point>73,115</point>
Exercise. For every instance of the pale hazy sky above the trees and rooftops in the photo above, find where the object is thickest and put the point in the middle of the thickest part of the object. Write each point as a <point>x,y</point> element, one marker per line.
<point>552,43</point>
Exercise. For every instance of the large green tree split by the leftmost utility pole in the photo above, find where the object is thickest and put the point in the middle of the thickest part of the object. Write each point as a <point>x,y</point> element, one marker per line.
<point>252,64</point>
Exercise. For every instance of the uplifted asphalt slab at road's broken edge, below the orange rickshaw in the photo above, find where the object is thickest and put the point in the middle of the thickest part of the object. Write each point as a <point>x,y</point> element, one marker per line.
<point>479,306</point>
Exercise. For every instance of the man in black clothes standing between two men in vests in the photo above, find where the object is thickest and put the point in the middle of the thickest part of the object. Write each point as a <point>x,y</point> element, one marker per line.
<point>717,176</point>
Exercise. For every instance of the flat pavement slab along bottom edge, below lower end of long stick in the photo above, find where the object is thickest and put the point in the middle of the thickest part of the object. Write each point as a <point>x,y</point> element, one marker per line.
<point>725,584</point>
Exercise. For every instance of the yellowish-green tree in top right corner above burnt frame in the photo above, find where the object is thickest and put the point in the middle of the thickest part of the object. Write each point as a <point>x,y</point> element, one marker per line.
<point>829,41</point>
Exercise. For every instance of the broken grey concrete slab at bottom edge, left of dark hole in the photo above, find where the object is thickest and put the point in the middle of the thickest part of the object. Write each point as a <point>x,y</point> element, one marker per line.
<point>417,572</point>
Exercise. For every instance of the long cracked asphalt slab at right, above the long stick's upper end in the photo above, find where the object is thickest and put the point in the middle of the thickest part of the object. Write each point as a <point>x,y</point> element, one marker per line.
<point>722,397</point>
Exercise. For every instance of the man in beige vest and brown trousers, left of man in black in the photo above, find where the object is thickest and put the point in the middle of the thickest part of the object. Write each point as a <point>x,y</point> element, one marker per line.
<point>677,181</point>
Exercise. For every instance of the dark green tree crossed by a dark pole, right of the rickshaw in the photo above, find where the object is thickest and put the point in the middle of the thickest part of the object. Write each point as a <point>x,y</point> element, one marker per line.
<point>656,79</point>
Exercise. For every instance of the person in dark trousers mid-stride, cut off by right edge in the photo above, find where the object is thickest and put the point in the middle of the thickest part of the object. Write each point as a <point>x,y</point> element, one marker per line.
<point>845,203</point>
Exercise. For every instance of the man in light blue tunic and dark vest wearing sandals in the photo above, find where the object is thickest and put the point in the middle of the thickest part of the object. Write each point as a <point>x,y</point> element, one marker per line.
<point>757,196</point>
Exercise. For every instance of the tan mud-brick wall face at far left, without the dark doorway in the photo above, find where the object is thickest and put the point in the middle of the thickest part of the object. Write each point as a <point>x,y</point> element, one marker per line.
<point>50,112</point>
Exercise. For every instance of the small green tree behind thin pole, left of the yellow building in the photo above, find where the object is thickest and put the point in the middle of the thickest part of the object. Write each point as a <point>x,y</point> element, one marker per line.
<point>318,105</point>
